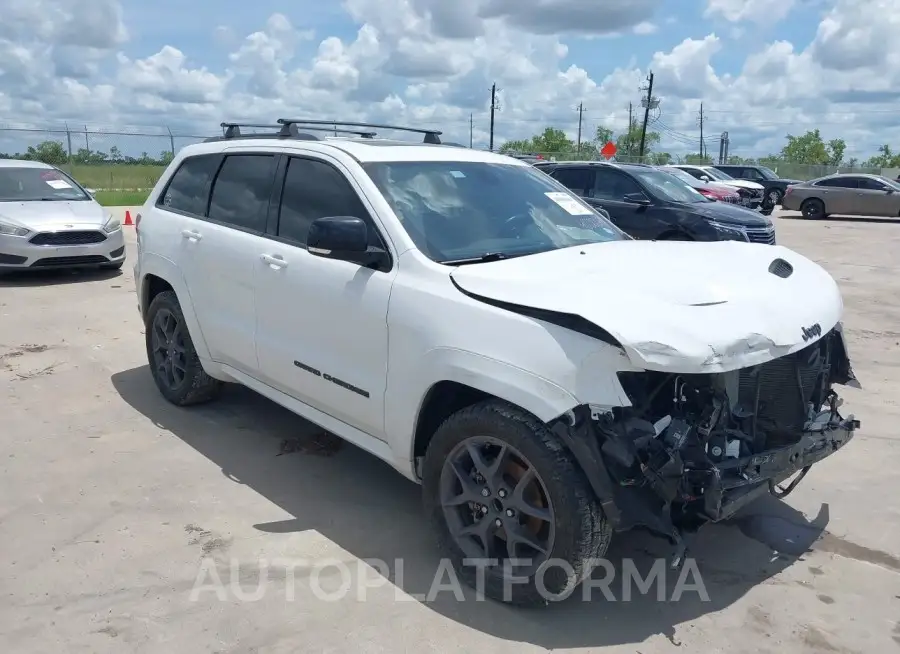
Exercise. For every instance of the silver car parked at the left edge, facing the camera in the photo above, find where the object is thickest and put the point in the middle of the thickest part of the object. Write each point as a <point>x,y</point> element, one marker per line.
<point>48,220</point>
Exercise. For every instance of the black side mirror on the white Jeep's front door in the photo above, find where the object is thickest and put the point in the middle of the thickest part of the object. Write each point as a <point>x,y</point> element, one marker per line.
<point>345,238</point>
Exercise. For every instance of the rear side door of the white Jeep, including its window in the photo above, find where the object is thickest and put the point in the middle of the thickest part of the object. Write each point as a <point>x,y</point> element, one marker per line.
<point>219,256</point>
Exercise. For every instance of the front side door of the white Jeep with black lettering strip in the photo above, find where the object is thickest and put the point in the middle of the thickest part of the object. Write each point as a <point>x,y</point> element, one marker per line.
<point>322,323</point>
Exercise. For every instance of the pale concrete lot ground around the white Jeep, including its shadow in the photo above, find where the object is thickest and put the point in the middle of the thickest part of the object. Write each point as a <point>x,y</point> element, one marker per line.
<point>112,500</point>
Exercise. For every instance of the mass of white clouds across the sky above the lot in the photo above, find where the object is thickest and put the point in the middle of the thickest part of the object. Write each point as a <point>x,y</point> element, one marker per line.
<point>433,62</point>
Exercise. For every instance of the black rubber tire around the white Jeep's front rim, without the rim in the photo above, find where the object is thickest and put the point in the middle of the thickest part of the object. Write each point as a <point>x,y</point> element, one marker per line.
<point>566,493</point>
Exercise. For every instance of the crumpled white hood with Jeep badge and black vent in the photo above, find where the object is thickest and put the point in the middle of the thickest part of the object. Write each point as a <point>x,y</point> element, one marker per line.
<point>674,306</point>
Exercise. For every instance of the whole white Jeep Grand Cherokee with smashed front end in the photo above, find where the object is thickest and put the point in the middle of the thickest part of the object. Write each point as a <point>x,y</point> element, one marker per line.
<point>464,317</point>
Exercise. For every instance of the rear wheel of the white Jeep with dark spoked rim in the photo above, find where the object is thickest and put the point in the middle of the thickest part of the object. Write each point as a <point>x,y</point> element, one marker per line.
<point>174,363</point>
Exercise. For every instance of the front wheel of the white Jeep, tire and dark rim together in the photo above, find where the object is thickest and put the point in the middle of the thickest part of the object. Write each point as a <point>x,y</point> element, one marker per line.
<point>497,485</point>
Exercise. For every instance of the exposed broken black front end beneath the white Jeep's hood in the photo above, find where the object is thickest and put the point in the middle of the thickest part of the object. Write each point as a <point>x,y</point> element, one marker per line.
<point>697,448</point>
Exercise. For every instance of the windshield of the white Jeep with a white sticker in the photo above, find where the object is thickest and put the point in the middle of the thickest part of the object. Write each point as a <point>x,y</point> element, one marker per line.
<point>456,211</point>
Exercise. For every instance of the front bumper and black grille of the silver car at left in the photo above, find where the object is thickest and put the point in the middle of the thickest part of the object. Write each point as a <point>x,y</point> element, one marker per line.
<point>19,253</point>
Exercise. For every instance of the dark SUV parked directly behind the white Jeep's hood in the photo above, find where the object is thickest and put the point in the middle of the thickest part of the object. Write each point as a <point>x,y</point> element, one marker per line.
<point>650,204</point>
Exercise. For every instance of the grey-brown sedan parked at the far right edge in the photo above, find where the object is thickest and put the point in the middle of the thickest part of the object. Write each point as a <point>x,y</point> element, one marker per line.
<point>845,194</point>
